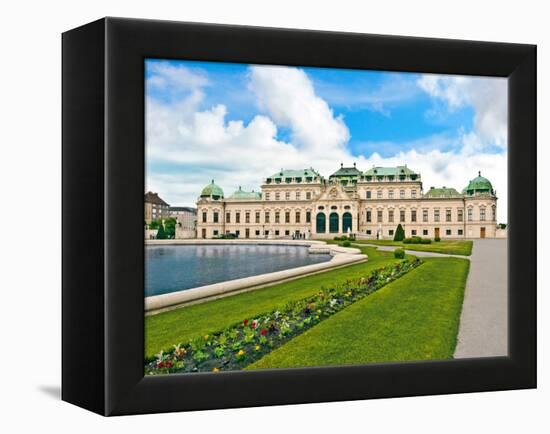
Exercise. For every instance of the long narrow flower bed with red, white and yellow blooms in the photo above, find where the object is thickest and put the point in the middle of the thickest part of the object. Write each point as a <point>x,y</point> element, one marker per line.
<point>242,344</point>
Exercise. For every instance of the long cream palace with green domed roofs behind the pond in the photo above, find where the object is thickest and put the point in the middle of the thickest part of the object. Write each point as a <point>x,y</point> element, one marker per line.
<point>304,204</point>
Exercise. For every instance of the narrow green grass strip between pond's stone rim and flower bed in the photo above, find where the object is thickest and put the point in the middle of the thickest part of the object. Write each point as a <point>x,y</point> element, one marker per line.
<point>164,330</point>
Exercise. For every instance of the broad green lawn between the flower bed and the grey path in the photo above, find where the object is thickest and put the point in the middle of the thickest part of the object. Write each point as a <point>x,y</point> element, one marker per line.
<point>414,318</point>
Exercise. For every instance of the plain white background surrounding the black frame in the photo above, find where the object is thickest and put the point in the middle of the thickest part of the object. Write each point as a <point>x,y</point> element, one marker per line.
<point>30,164</point>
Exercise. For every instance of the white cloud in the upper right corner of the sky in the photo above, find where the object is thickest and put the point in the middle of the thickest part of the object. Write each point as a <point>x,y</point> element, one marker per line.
<point>486,95</point>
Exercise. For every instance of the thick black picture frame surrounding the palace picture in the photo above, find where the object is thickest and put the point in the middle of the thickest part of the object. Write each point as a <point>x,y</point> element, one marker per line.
<point>103,181</point>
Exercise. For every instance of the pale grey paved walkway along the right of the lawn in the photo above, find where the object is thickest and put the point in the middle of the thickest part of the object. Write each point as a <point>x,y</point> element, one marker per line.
<point>483,330</point>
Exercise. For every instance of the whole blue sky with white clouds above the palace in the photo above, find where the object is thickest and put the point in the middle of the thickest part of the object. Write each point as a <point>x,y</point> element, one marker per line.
<point>238,123</point>
